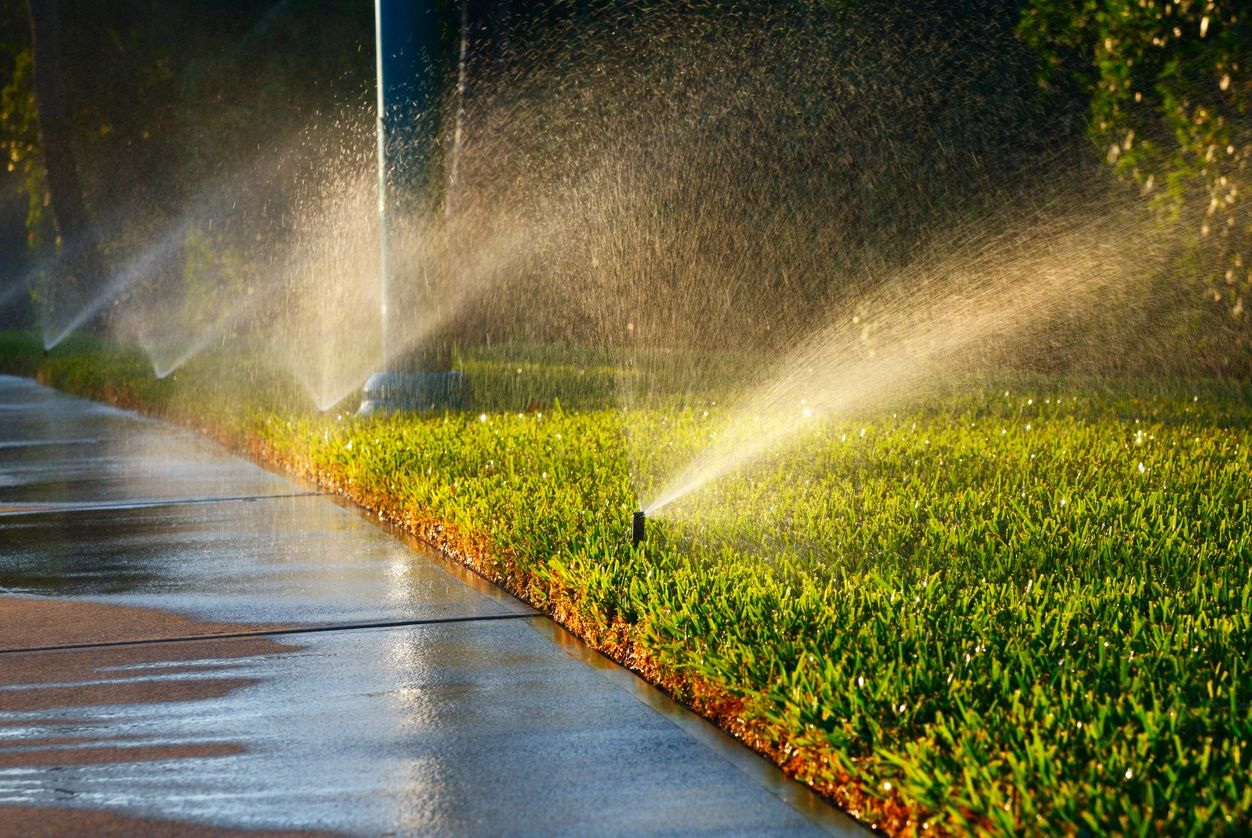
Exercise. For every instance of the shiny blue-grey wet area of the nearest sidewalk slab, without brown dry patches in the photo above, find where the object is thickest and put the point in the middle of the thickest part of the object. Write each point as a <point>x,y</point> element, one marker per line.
<point>434,728</point>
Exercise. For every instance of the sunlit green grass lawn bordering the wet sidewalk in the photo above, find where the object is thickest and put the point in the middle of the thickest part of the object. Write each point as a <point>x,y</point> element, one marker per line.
<point>1008,609</point>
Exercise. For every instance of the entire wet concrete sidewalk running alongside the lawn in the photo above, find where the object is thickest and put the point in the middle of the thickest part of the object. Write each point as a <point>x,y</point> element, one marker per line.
<point>426,701</point>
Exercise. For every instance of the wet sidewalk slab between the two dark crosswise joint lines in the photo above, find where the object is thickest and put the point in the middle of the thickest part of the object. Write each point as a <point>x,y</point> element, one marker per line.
<point>272,561</point>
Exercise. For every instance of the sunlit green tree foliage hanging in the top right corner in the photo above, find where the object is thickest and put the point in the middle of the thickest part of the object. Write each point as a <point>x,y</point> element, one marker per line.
<point>1170,92</point>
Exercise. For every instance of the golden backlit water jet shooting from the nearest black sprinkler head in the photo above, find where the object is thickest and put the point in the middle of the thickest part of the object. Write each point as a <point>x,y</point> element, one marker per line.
<point>938,318</point>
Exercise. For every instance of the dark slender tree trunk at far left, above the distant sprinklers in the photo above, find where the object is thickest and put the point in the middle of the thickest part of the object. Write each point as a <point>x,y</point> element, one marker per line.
<point>81,249</point>
